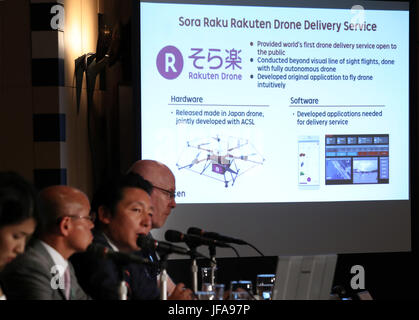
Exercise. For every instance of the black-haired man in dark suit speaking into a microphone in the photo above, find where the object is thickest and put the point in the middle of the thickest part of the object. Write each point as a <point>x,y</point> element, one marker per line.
<point>124,211</point>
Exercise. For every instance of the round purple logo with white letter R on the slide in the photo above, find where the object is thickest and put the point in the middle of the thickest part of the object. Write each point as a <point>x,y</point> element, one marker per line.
<point>170,62</point>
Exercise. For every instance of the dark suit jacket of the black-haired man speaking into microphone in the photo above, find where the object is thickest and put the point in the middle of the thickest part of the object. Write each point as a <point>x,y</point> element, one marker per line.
<point>101,277</point>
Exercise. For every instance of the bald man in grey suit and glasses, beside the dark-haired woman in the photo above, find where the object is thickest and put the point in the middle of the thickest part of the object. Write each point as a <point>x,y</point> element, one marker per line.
<point>44,272</point>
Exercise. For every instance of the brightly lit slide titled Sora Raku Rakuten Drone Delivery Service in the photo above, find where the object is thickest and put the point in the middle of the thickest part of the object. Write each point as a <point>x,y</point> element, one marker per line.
<point>263,104</point>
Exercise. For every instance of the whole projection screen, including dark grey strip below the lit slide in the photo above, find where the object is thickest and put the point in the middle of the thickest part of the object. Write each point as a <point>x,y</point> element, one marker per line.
<point>285,123</point>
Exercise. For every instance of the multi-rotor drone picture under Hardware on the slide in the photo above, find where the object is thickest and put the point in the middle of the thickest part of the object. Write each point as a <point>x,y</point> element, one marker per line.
<point>221,159</point>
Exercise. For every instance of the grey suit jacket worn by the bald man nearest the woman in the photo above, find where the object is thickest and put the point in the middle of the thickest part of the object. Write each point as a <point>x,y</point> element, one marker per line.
<point>30,277</point>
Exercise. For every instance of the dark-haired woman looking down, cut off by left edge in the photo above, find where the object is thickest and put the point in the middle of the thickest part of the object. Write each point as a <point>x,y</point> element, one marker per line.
<point>18,216</point>
